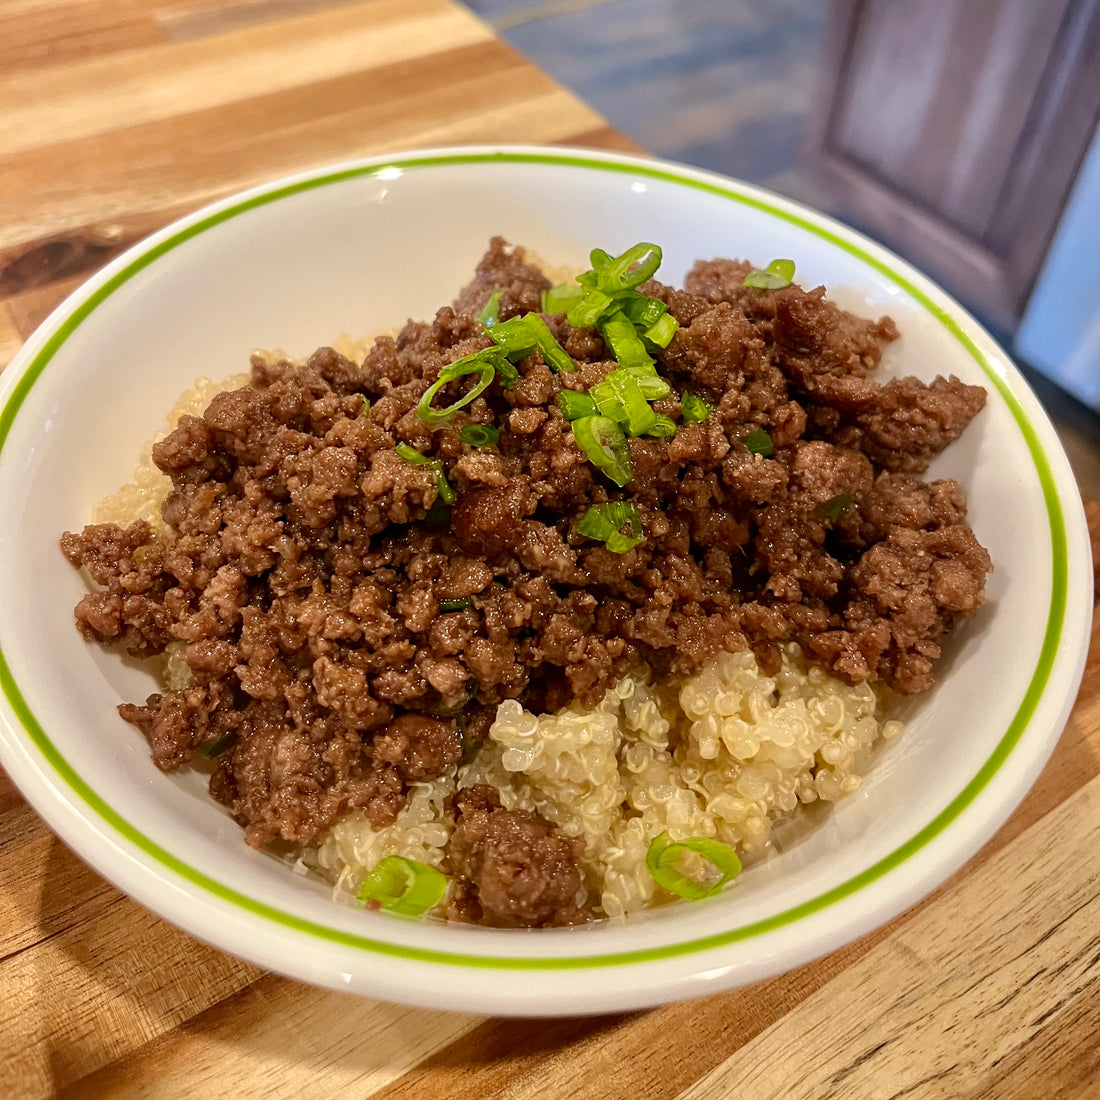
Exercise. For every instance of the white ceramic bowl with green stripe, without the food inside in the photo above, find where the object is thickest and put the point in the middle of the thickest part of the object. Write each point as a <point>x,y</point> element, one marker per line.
<point>360,248</point>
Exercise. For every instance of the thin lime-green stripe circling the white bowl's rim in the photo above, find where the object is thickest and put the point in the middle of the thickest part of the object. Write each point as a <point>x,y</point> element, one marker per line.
<point>985,775</point>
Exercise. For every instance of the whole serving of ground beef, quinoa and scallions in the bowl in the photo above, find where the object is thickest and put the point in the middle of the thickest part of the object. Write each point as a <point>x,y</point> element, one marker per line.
<point>545,610</point>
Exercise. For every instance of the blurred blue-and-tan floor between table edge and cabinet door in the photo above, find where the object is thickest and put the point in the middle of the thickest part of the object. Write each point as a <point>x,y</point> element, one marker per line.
<point>721,84</point>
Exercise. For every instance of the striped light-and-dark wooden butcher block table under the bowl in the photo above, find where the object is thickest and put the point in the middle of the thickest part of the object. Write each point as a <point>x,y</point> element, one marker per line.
<point>118,116</point>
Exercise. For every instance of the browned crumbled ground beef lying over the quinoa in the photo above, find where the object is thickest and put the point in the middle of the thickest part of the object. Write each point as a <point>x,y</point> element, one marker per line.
<point>348,635</point>
